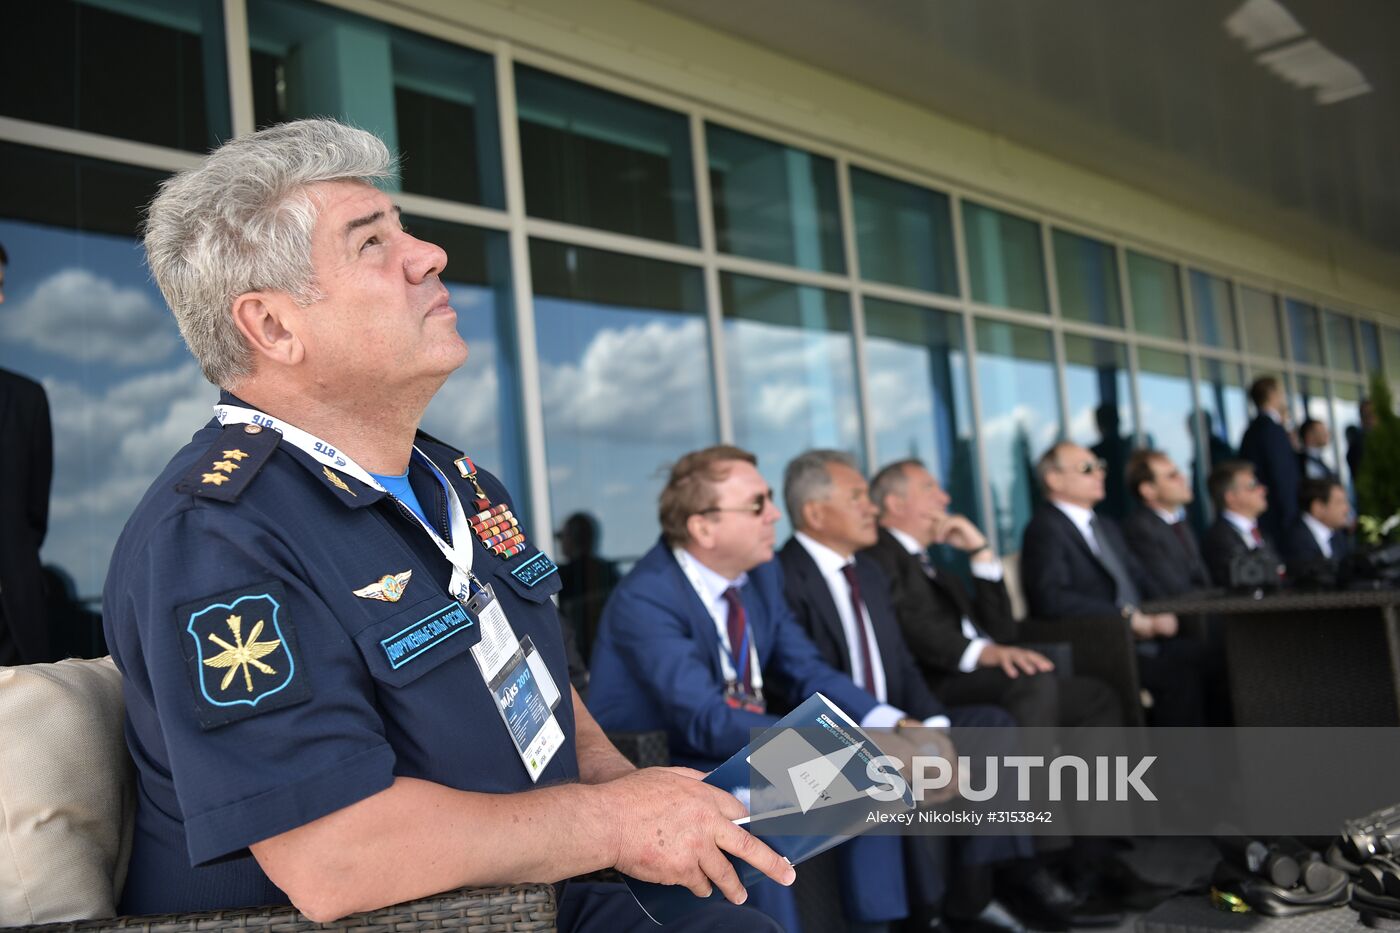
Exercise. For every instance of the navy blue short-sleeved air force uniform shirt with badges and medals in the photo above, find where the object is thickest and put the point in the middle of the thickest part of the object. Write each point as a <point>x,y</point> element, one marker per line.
<point>264,693</point>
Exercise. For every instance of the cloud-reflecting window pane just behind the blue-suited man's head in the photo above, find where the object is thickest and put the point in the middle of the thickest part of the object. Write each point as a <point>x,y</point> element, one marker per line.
<point>625,385</point>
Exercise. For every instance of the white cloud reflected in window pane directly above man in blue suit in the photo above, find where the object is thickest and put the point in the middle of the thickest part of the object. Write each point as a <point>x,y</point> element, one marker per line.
<point>629,383</point>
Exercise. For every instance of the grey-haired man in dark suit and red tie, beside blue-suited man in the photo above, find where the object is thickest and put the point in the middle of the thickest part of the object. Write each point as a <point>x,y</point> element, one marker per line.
<point>843,600</point>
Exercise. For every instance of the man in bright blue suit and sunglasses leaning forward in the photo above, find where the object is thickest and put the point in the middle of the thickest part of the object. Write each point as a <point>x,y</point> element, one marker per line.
<point>699,637</point>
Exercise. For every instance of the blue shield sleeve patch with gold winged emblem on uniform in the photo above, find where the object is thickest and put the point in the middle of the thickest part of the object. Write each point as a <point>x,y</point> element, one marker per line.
<point>241,655</point>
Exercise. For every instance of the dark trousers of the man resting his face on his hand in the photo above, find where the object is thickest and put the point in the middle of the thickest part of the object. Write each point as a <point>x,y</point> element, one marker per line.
<point>1037,700</point>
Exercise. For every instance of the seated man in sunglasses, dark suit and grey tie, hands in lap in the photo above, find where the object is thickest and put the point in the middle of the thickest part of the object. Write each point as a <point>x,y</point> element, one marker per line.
<point>1077,564</point>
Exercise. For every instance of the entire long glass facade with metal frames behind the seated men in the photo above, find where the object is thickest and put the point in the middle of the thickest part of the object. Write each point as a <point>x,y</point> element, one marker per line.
<point>940,338</point>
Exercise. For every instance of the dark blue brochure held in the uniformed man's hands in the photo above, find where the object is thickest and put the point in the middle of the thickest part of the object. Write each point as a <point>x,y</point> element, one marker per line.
<point>804,782</point>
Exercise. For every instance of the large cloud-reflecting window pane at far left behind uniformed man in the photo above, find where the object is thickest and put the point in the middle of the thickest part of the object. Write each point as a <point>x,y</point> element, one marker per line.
<point>83,319</point>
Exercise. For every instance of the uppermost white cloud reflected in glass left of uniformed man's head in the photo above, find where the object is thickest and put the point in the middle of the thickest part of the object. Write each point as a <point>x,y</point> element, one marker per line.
<point>82,316</point>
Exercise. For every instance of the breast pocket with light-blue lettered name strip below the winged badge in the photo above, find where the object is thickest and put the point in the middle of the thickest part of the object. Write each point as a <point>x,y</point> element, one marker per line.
<point>411,644</point>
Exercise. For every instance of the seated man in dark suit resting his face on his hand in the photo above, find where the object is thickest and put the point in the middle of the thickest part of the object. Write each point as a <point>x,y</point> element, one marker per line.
<point>962,642</point>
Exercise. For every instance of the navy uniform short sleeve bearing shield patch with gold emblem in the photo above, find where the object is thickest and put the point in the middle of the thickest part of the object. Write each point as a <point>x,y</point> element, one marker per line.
<point>241,683</point>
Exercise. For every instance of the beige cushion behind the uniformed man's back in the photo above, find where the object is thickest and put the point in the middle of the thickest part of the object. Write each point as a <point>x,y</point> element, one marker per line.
<point>66,792</point>
